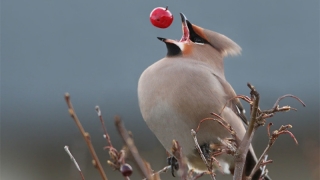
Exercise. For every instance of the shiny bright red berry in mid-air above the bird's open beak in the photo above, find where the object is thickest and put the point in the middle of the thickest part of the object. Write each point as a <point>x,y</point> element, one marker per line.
<point>161,17</point>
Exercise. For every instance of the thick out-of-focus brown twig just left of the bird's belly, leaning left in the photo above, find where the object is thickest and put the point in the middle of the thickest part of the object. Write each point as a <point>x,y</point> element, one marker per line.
<point>132,148</point>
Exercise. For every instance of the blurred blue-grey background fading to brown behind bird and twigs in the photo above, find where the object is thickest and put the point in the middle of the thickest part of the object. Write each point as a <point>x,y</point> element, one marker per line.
<point>96,51</point>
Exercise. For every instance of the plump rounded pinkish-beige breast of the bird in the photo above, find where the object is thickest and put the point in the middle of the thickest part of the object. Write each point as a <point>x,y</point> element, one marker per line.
<point>175,95</point>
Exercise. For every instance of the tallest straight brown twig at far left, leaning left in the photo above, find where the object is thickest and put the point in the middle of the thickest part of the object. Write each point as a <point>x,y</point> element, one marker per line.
<point>86,137</point>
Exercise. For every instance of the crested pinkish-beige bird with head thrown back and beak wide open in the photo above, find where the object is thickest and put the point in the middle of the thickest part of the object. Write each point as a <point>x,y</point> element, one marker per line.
<point>176,92</point>
